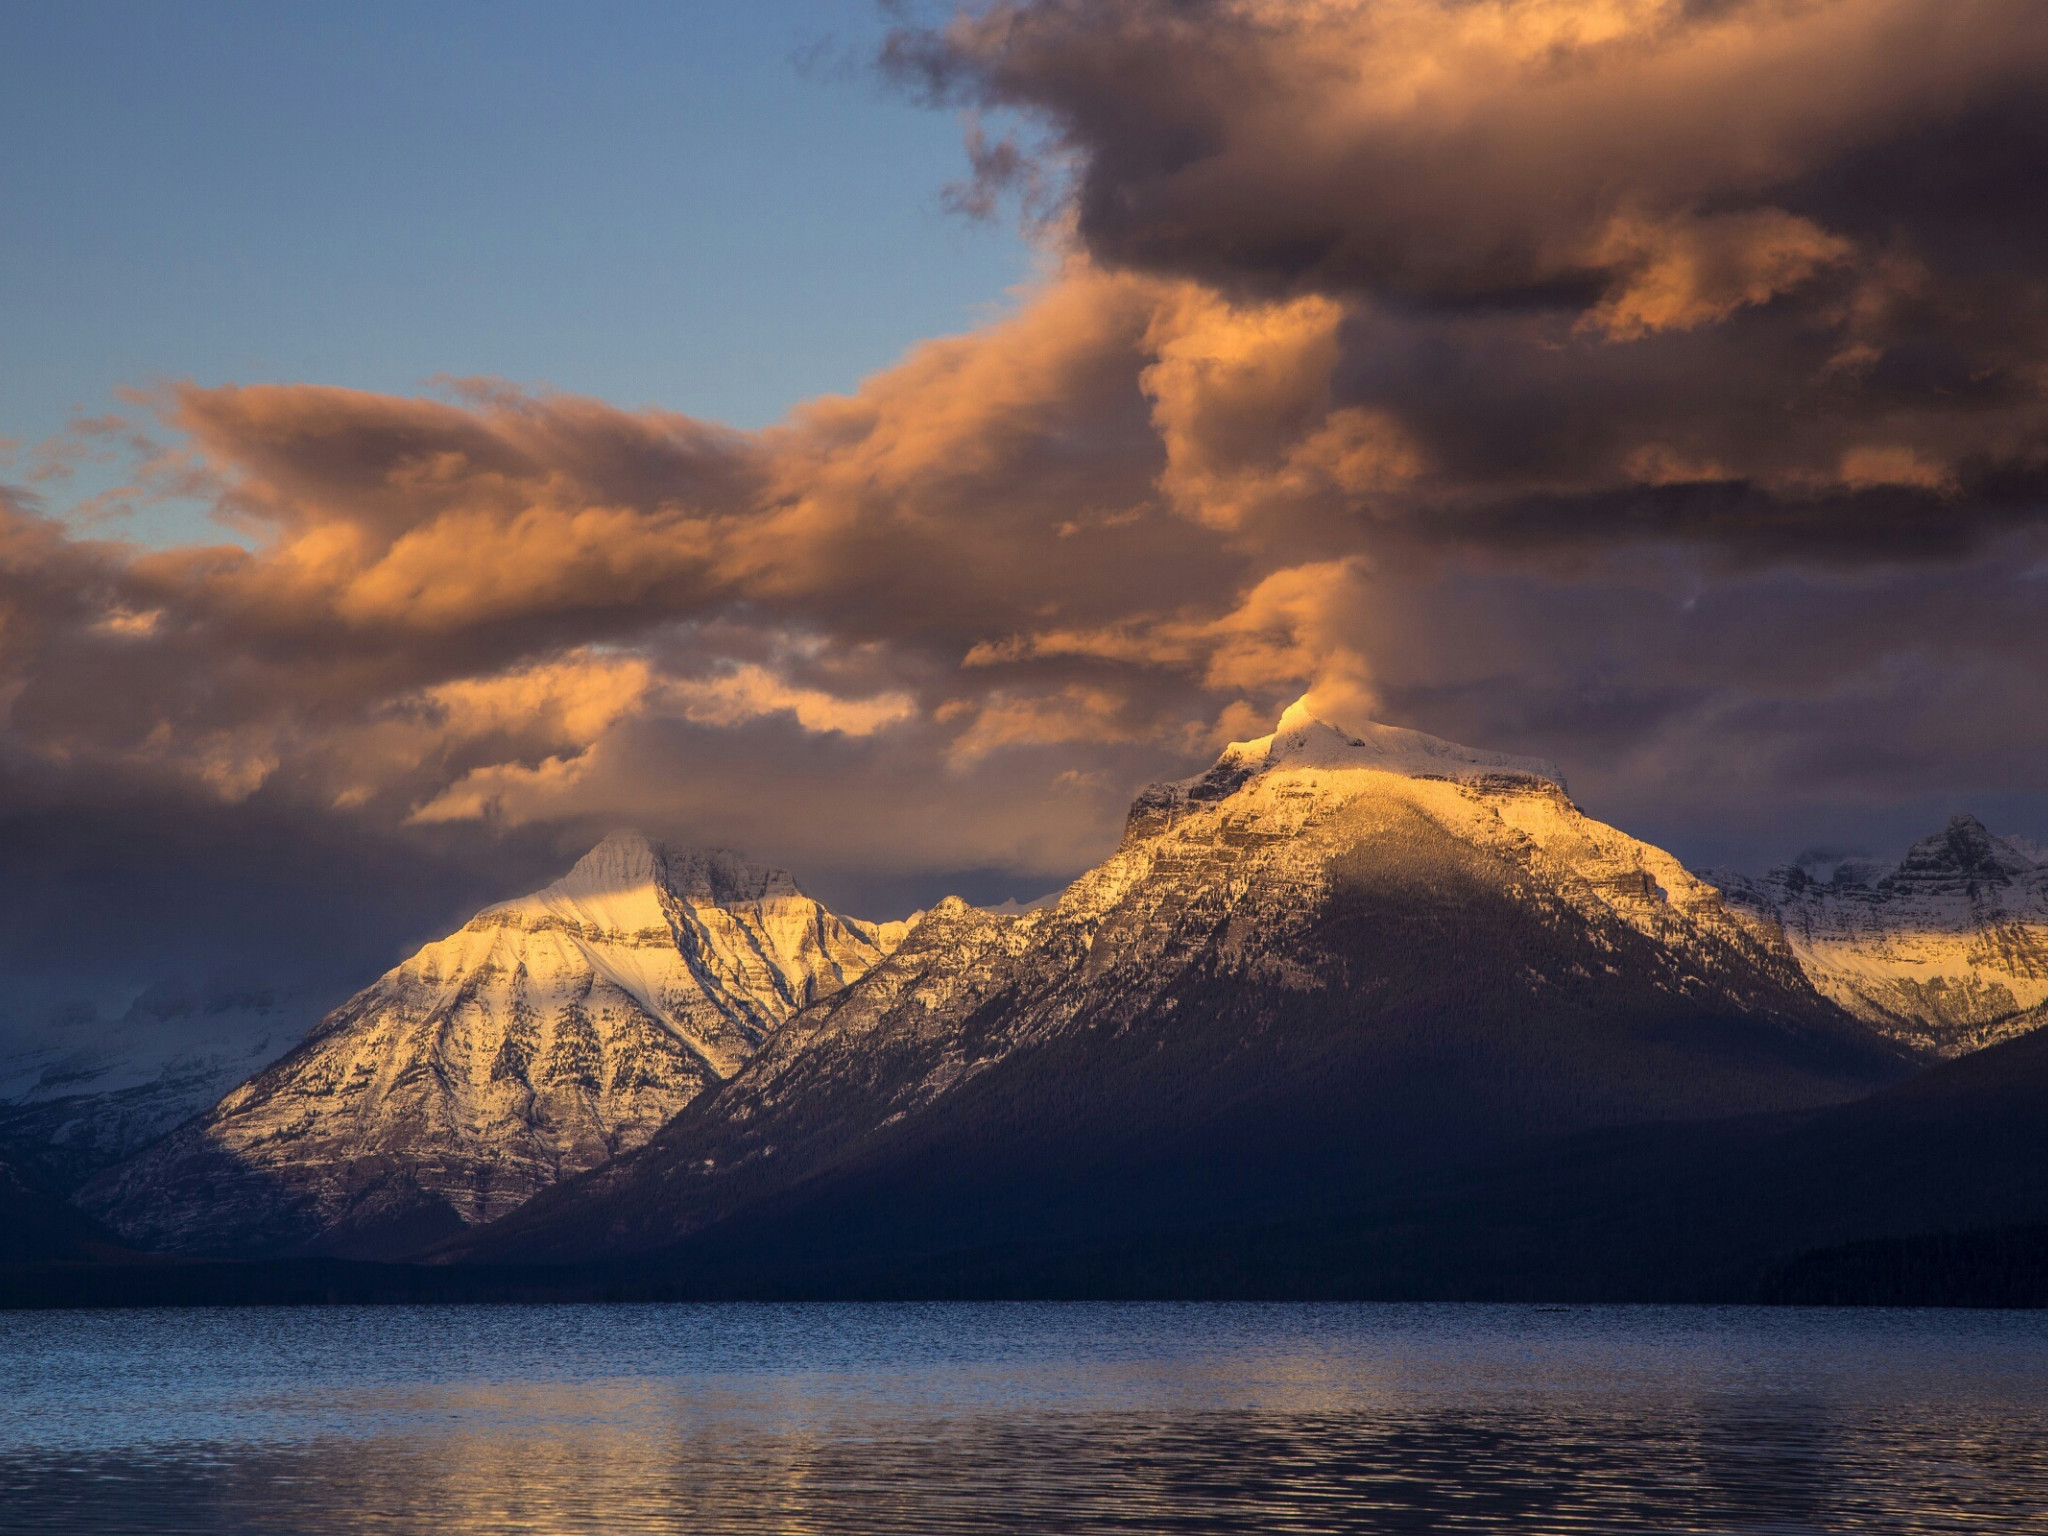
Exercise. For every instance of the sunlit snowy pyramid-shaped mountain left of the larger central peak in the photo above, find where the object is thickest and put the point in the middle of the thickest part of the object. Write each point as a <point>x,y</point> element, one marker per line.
<point>542,1039</point>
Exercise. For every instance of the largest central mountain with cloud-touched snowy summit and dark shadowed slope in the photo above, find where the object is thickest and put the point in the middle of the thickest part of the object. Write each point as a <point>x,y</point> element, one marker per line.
<point>1324,964</point>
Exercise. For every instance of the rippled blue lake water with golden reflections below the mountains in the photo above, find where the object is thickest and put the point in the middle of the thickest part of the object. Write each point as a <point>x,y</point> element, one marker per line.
<point>1023,1418</point>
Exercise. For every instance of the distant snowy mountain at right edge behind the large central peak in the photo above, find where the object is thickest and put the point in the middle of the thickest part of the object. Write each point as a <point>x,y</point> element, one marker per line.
<point>1947,951</point>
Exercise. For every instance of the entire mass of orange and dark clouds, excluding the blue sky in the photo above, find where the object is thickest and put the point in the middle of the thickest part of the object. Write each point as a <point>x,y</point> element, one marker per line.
<point>1660,386</point>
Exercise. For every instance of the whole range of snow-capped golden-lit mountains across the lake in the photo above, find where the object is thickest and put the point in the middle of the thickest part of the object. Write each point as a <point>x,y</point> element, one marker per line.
<point>1340,1017</point>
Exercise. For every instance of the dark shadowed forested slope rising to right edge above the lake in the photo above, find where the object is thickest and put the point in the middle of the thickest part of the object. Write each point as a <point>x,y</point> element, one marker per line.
<point>1781,1207</point>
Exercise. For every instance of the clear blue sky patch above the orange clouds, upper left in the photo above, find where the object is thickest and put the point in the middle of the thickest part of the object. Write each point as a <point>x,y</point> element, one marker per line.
<point>699,206</point>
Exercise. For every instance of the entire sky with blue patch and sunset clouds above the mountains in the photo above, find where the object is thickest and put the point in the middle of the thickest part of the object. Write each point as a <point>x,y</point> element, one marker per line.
<point>882,439</point>
